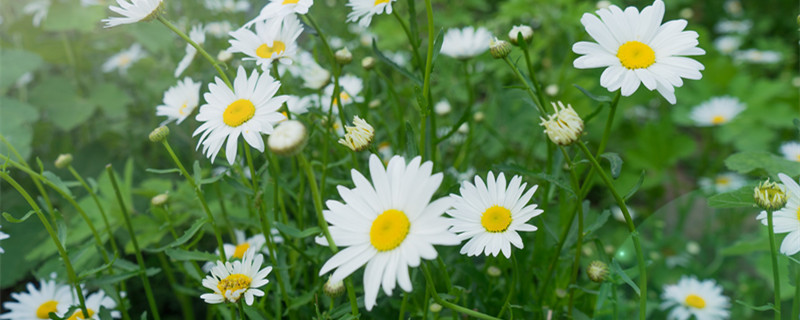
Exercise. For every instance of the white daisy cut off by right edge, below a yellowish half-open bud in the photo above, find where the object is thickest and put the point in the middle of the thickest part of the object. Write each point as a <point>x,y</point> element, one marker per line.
<point>787,220</point>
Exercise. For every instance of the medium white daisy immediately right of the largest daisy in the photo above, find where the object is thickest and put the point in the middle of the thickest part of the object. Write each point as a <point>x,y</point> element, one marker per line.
<point>490,214</point>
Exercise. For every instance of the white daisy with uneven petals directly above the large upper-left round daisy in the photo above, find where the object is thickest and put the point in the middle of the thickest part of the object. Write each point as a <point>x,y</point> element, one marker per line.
<point>272,40</point>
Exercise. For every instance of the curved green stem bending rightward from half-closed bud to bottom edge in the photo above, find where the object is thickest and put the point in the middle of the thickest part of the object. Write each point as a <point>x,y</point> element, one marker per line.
<point>631,227</point>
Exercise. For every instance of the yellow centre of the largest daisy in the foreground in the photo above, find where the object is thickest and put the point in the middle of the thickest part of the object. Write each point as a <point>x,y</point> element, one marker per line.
<point>389,230</point>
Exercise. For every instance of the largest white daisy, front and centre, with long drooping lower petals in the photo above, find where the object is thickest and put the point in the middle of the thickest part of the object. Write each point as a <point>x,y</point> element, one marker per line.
<point>389,224</point>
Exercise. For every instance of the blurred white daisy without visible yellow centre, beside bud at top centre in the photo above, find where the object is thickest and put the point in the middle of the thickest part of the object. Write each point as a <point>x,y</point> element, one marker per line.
<point>466,43</point>
